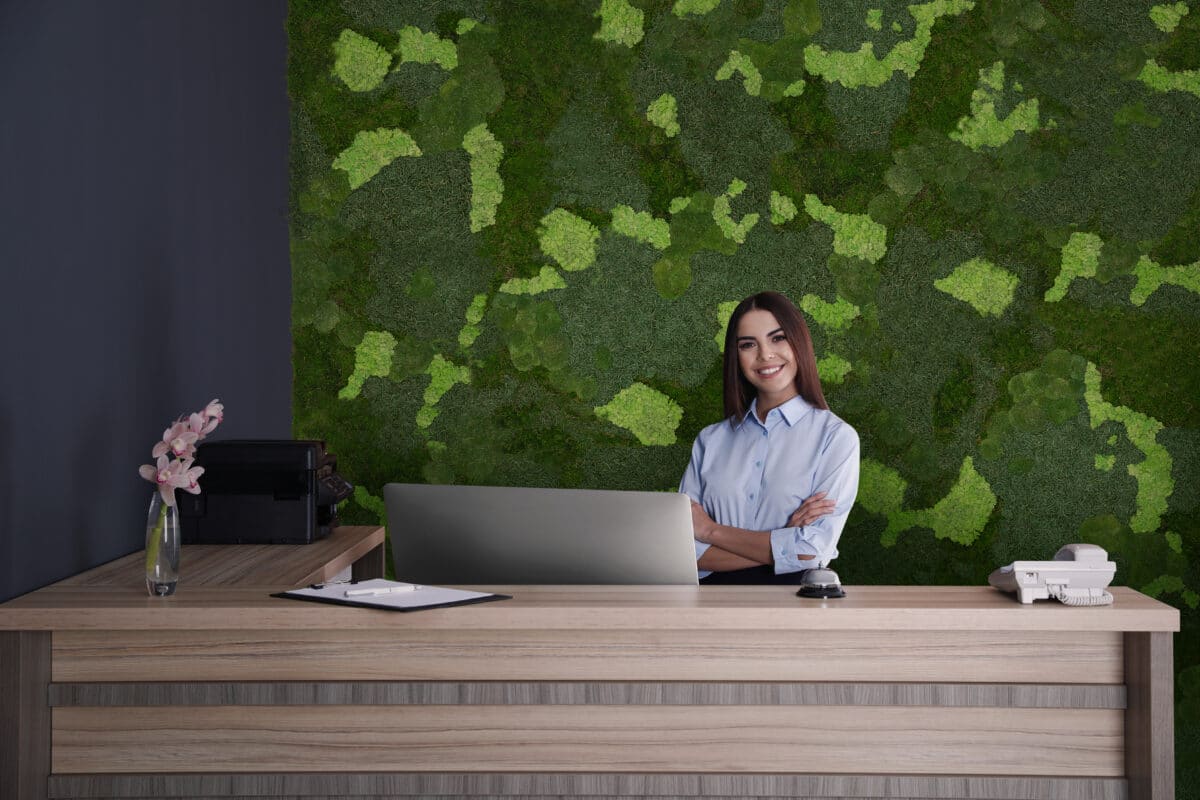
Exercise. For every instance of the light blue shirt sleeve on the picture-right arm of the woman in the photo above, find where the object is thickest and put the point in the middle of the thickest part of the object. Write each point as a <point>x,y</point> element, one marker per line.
<point>838,478</point>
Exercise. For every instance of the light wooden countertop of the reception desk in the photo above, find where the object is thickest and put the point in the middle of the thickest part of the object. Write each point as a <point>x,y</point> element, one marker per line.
<point>577,609</point>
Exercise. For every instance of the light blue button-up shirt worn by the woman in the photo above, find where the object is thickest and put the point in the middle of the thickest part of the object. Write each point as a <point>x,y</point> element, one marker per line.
<point>755,474</point>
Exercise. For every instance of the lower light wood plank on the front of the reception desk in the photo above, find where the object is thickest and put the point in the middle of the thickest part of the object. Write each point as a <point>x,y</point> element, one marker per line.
<point>607,739</point>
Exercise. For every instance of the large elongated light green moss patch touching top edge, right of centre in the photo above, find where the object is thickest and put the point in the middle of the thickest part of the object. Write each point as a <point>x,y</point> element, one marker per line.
<point>863,69</point>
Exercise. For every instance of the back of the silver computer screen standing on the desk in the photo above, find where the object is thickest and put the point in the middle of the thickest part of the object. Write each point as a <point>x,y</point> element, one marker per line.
<point>497,536</point>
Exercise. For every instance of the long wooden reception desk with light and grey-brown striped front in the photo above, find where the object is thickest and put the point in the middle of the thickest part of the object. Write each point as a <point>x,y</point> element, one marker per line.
<point>593,691</point>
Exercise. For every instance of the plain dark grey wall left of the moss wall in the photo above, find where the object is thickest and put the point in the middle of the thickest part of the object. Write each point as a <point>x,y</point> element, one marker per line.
<point>143,254</point>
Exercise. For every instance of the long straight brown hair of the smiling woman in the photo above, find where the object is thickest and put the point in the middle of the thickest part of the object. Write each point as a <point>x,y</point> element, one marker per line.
<point>739,392</point>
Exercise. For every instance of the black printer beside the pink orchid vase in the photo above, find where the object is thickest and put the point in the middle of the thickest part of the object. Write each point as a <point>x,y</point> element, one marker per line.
<point>262,491</point>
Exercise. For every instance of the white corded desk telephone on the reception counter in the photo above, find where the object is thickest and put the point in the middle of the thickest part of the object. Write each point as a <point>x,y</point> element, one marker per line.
<point>1077,576</point>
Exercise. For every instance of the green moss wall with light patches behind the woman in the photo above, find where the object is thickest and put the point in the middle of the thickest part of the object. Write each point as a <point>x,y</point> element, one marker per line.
<point>519,228</point>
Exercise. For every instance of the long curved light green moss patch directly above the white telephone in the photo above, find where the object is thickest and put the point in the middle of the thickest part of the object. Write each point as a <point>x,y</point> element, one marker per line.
<point>1154,474</point>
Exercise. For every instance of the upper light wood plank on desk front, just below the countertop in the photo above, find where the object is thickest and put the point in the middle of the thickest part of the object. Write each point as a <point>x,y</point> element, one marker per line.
<point>968,657</point>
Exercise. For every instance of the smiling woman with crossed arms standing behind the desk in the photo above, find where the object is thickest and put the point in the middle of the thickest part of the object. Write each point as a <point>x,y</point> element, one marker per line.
<point>773,484</point>
